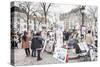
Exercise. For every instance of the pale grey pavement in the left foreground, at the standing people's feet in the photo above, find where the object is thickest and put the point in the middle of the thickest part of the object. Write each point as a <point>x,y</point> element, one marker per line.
<point>21,59</point>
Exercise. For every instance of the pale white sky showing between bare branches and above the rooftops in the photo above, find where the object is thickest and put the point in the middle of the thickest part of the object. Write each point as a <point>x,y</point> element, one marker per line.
<point>58,8</point>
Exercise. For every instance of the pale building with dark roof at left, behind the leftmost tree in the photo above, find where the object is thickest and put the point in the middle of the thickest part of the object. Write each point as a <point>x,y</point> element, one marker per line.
<point>19,22</point>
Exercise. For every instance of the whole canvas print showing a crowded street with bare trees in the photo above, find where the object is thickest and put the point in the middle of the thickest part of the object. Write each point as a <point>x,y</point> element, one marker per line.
<point>53,33</point>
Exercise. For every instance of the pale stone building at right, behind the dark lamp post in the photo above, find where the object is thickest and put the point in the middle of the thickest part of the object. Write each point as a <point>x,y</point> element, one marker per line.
<point>74,18</point>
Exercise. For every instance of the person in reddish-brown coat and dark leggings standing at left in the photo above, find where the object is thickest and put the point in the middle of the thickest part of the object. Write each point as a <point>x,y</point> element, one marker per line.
<point>25,43</point>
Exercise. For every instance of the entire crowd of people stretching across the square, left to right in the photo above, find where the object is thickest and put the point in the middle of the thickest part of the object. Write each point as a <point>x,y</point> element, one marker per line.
<point>37,41</point>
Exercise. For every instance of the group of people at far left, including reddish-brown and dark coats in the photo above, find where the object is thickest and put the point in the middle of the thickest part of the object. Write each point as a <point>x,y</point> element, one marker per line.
<point>36,44</point>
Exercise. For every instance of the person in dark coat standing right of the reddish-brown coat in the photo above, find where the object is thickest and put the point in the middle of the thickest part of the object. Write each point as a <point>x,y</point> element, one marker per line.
<point>36,46</point>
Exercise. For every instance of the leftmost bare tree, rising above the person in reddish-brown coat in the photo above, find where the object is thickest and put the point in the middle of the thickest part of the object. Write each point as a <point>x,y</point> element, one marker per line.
<point>28,9</point>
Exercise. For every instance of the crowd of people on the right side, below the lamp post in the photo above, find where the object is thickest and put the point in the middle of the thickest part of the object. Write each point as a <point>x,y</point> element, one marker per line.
<point>72,39</point>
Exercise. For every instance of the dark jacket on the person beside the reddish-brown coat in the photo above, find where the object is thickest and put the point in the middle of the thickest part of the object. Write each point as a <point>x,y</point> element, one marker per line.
<point>36,43</point>
